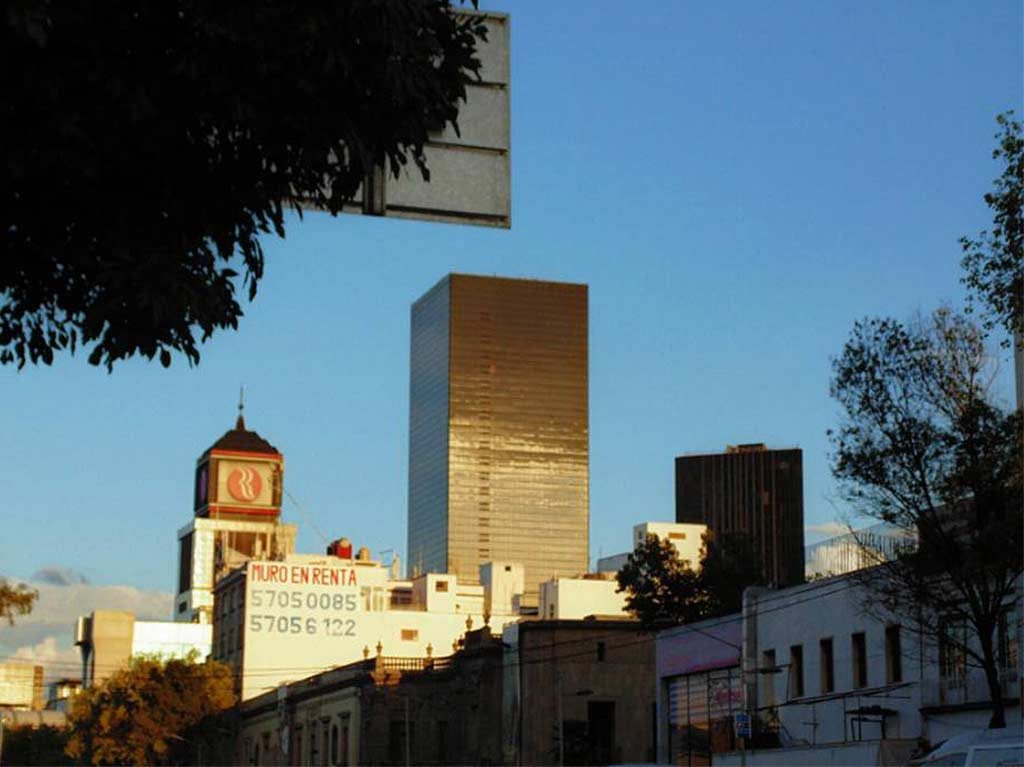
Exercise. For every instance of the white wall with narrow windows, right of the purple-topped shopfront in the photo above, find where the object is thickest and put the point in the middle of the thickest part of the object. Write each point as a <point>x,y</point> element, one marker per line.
<point>825,672</point>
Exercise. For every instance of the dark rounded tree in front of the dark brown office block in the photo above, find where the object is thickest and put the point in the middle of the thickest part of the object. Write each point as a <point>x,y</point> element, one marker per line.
<point>663,590</point>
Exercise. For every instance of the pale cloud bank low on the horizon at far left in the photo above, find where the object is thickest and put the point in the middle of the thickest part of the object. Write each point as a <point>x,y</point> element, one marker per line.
<point>48,634</point>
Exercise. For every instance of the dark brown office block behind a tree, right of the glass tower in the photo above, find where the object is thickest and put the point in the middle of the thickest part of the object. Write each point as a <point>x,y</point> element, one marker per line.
<point>750,490</point>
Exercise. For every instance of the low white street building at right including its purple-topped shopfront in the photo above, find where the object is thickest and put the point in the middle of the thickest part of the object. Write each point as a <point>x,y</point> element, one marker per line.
<point>825,680</point>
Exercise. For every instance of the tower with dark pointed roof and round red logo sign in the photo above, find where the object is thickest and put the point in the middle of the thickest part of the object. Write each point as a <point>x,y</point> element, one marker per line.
<point>237,505</point>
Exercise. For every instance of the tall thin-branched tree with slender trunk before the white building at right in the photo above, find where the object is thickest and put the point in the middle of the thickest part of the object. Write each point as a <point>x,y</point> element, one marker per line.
<point>924,447</point>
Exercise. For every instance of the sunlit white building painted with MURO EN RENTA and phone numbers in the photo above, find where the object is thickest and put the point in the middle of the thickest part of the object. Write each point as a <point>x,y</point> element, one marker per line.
<point>284,621</point>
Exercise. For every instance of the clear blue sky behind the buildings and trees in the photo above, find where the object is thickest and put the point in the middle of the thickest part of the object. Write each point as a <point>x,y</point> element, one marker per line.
<point>737,183</point>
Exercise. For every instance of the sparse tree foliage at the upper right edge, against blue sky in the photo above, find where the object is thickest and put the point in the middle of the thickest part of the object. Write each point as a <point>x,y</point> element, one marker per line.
<point>994,264</point>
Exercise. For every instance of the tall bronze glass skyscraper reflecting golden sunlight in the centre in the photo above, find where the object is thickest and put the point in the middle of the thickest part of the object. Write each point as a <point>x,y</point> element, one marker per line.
<point>499,438</point>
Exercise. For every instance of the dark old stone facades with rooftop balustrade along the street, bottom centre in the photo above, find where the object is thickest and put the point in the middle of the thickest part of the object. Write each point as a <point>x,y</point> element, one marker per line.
<point>545,693</point>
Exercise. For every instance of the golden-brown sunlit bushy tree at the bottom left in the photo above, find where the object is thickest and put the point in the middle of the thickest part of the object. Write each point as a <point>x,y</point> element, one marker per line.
<point>152,713</point>
